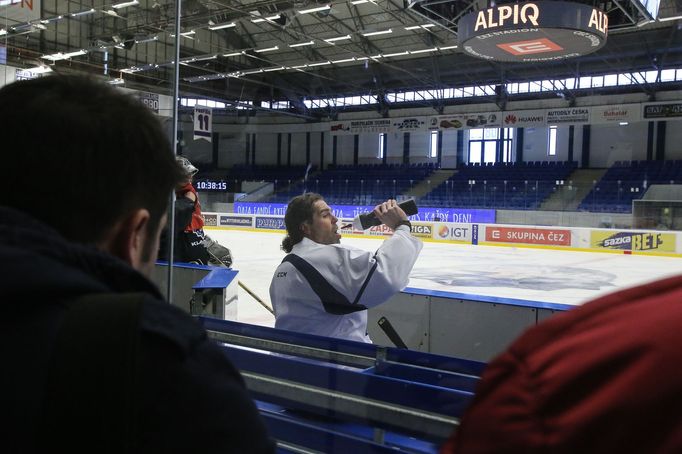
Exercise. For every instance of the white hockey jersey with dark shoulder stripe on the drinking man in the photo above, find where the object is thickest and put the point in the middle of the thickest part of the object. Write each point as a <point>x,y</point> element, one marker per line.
<point>326,289</point>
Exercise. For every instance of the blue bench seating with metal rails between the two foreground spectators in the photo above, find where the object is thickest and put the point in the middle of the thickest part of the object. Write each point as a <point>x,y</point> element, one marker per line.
<point>333,395</point>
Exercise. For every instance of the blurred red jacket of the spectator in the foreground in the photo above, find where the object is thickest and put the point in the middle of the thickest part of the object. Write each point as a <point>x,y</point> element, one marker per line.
<point>602,378</point>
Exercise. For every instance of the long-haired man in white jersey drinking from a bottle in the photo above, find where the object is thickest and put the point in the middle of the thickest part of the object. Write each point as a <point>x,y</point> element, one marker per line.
<point>323,287</point>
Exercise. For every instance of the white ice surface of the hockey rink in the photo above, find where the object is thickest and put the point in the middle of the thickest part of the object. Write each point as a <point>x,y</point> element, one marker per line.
<point>544,275</point>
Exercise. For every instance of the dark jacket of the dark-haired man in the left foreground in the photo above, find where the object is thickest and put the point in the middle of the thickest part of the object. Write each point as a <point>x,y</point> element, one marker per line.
<point>188,396</point>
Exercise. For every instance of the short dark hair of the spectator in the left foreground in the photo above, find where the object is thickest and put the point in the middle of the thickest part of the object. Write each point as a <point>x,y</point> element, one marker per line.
<point>80,155</point>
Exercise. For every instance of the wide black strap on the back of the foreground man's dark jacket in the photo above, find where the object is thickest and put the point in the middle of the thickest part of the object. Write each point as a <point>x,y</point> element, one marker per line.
<point>90,396</point>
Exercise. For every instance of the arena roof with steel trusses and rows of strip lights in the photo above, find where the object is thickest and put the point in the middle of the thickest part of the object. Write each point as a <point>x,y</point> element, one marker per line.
<point>292,50</point>
